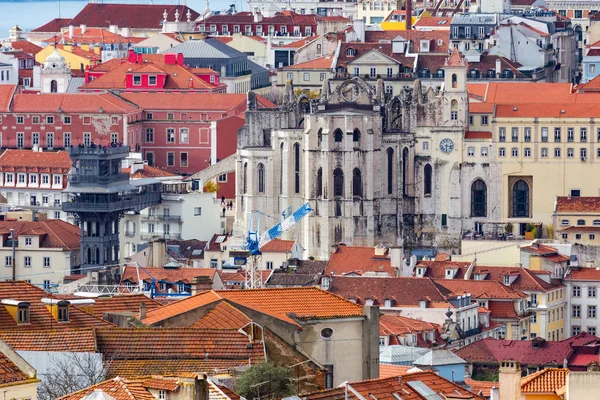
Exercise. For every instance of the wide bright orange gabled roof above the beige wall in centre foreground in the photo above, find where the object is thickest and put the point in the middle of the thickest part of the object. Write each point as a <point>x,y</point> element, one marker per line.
<point>303,303</point>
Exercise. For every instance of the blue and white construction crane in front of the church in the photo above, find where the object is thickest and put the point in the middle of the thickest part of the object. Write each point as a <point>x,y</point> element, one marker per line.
<point>255,240</point>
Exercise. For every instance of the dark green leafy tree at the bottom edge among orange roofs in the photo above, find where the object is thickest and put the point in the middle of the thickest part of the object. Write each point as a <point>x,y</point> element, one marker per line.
<point>263,380</point>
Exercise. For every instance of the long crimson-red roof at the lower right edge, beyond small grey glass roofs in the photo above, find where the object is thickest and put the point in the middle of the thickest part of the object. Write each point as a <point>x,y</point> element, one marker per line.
<point>493,351</point>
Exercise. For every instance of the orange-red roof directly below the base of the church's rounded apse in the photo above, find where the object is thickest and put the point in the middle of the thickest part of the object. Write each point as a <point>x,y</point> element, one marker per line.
<point>359,260</point>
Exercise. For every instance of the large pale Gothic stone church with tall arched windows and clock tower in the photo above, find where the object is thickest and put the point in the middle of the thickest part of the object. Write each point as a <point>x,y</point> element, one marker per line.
<point>373,169</point>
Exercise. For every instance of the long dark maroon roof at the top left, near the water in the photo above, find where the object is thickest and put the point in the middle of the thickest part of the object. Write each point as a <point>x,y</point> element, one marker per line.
<point>136,16</point>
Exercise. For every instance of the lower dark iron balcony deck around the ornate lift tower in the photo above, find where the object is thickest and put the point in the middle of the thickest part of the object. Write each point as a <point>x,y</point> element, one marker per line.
<point>126,202</point>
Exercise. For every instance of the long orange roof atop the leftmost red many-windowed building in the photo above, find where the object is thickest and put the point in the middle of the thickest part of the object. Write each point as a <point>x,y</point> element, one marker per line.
<point>70,103</point>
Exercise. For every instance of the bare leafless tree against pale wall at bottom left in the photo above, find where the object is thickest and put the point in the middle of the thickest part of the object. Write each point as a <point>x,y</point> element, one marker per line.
<point>70,374</point>
